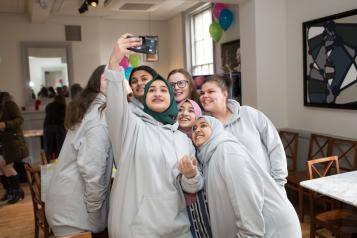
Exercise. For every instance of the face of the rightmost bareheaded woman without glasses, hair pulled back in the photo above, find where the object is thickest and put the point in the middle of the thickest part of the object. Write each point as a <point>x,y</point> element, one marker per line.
<point>212,97</point>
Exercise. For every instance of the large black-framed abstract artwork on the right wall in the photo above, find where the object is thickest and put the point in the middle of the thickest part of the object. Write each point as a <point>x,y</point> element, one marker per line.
<point>330,62</point>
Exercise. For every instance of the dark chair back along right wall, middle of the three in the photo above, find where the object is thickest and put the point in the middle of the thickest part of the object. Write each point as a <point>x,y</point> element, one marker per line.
<point>319,146</point>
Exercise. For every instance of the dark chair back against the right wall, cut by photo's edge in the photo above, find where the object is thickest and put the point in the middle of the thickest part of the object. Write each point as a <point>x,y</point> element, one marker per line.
<point>346,150</point>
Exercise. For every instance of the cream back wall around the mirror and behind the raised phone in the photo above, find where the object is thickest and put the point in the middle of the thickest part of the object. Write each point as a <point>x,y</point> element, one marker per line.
<point>98,38</point>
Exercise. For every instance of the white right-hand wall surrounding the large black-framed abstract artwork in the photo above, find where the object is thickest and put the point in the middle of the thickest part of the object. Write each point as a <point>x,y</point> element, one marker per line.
<point>330,121</point>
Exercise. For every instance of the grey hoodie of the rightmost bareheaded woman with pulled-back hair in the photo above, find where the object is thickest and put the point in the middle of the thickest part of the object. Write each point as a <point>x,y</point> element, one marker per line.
<point>256,132</point>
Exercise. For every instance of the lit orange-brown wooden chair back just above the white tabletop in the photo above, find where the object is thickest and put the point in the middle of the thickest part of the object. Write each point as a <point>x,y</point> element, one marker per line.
<point>323,166</point>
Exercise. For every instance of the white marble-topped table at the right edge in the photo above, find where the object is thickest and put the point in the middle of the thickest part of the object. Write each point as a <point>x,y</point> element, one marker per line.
<point>342,187</point>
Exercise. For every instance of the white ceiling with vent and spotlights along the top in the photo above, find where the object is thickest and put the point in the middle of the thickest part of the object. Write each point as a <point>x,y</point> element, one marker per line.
<point>40,10</point>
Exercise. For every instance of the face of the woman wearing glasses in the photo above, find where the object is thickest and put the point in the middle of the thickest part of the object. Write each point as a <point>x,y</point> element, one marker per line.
<point>180,85</point>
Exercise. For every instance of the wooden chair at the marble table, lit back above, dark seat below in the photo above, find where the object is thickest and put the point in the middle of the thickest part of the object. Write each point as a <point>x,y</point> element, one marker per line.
<point>342,223</point>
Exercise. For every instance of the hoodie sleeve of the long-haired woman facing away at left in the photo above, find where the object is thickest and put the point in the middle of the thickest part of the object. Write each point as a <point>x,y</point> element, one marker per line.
<point>92,160</point>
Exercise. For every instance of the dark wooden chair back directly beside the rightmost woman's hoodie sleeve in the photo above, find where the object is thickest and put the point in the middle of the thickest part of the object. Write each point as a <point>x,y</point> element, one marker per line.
<point>290,143</point>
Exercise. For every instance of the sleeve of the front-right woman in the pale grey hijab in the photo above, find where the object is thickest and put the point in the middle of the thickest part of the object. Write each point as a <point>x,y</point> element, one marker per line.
<point>245,190</point>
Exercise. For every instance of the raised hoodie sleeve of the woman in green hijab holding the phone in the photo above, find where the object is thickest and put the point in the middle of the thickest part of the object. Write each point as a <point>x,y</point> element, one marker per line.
<point>121,122</point>
